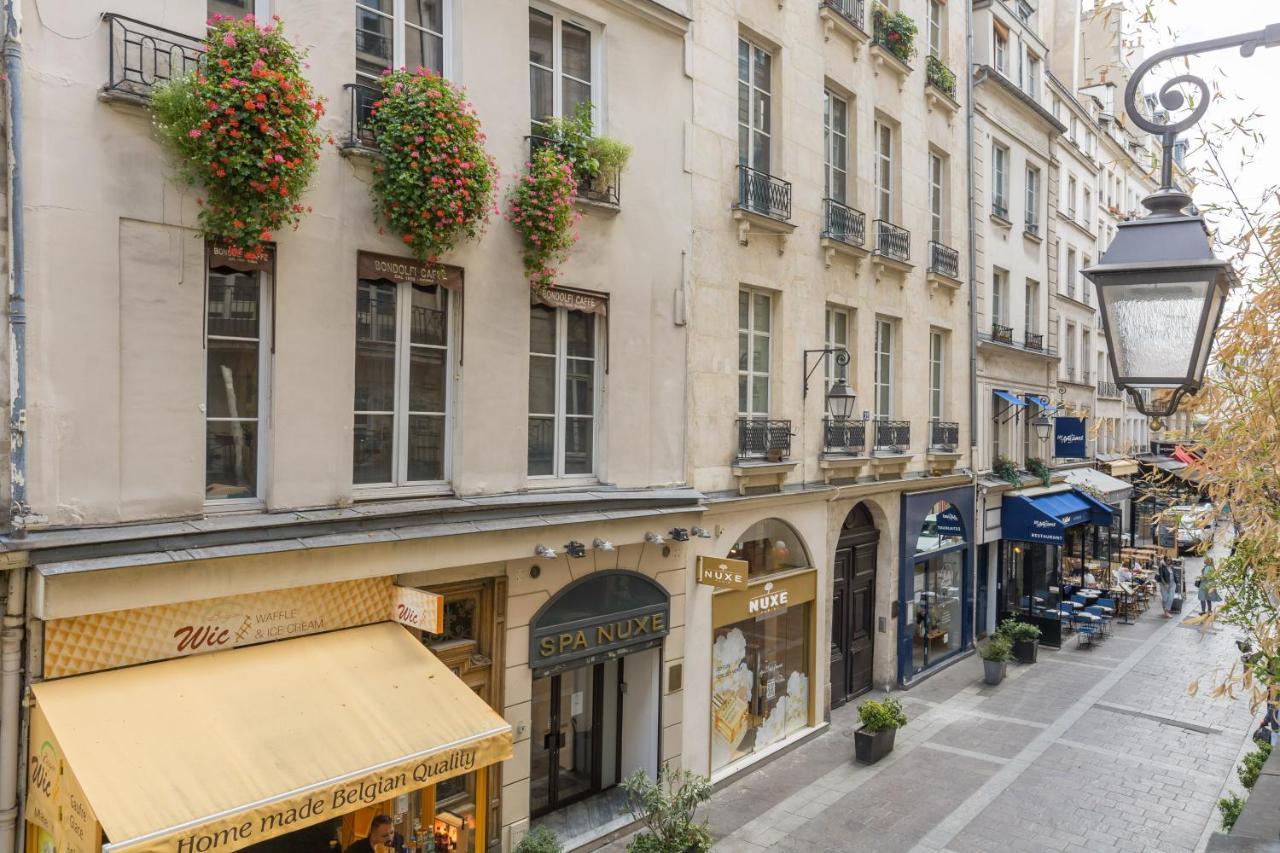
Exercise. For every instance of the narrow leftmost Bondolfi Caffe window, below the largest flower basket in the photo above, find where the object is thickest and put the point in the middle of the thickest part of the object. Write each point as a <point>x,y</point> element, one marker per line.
<point>237,361</point>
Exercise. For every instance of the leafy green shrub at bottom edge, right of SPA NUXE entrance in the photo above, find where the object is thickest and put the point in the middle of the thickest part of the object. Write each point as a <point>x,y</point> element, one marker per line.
<point>666,808</point>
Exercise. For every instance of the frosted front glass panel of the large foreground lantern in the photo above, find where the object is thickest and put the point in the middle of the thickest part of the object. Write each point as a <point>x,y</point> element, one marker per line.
<point>1155,327</point>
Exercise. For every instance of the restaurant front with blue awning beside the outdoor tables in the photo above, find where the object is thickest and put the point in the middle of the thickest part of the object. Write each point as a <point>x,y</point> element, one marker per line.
<point>1039,533</point>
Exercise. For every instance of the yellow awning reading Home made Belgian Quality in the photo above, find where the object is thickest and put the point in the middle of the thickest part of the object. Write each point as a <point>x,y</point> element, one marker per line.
<point>216,752</point>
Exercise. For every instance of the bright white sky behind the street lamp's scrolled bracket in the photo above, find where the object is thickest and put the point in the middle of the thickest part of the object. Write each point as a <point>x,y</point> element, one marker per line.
<point>1247,85</point>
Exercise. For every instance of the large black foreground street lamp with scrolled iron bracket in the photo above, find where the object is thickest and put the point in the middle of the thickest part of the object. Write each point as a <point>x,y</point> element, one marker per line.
<point>1160,289</point>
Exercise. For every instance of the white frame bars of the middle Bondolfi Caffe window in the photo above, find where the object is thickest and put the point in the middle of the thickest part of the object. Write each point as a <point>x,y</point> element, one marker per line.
<point>400,482</point>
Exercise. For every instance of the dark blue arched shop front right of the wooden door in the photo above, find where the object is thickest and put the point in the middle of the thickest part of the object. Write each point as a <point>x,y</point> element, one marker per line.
<point>935,581</point>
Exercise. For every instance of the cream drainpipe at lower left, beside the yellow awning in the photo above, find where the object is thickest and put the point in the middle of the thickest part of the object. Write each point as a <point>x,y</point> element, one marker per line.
<point>11,708</point>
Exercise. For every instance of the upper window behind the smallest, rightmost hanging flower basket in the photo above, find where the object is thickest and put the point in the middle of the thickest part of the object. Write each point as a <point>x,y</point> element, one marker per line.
<point>563,66</point>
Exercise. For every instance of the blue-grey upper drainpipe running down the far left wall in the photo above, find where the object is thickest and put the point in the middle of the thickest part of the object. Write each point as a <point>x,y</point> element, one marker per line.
<point>17,280</point>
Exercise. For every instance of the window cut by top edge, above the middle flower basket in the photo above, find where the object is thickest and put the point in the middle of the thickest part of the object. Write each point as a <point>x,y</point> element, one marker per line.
<point>408,34</point>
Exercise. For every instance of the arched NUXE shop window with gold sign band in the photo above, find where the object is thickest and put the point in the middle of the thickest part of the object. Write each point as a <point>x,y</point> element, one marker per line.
<point>764,649</point>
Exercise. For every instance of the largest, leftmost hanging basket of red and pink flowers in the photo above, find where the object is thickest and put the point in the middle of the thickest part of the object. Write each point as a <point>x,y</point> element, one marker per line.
<point>244,127</point>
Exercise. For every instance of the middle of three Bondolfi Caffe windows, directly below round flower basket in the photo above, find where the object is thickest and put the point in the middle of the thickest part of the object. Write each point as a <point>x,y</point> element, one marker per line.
<point>404,357</point>
